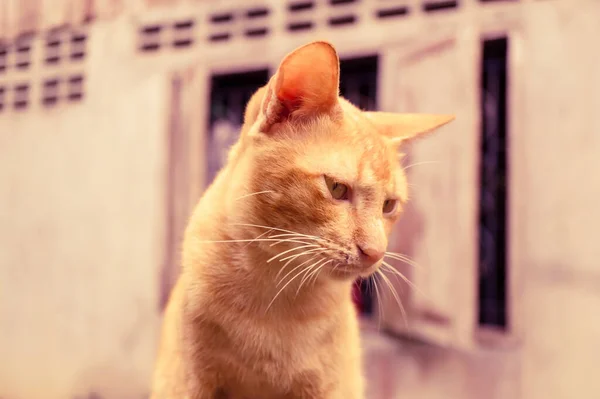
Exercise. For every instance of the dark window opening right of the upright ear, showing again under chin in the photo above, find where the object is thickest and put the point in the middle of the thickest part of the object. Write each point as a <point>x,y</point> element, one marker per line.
<point>358,84</point>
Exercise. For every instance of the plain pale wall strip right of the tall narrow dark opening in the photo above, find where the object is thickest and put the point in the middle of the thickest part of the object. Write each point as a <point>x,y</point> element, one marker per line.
<point>558,248</point>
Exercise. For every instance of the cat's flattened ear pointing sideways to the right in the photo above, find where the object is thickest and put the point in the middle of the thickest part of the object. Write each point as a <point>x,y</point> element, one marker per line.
<point>403,127</point>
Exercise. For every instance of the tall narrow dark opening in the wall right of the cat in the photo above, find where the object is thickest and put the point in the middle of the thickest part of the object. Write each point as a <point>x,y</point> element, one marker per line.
<point>493,204</point>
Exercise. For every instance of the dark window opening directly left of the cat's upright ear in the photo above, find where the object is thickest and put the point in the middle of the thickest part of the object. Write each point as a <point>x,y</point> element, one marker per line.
<point>229,95</point>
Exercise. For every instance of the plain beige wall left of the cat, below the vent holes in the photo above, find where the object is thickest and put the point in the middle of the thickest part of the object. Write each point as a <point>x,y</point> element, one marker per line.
<point>82,233</point>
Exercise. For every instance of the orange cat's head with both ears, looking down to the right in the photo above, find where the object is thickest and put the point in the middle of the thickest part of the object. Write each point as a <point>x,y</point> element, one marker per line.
<point>318,166</point>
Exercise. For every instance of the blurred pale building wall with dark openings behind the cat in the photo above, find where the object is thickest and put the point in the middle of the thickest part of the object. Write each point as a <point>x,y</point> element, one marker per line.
<point>115,115</point>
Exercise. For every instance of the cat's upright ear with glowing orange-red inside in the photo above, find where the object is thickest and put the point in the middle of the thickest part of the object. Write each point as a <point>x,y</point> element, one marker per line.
<point>306,83</point>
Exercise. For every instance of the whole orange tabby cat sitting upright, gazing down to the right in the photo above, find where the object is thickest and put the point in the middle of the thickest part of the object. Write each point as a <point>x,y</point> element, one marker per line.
<point>262,309</point>
